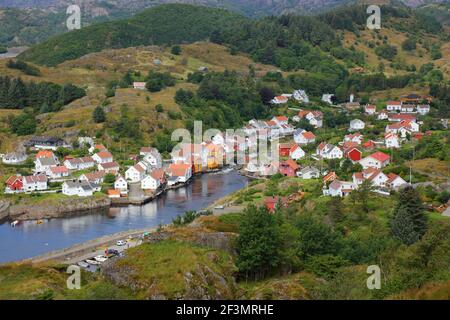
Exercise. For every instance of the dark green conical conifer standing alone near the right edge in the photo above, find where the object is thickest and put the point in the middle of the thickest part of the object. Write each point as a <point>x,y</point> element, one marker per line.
<point>409,222</point>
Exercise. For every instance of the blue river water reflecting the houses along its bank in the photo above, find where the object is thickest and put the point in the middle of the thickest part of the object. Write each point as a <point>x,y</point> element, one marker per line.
<point>30,239</point>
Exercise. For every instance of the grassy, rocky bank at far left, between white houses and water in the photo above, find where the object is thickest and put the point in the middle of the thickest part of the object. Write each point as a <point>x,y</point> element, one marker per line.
<point>54,209</point>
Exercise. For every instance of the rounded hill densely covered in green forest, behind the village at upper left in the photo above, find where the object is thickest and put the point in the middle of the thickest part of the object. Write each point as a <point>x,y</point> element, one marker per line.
<point>166,24</point>
